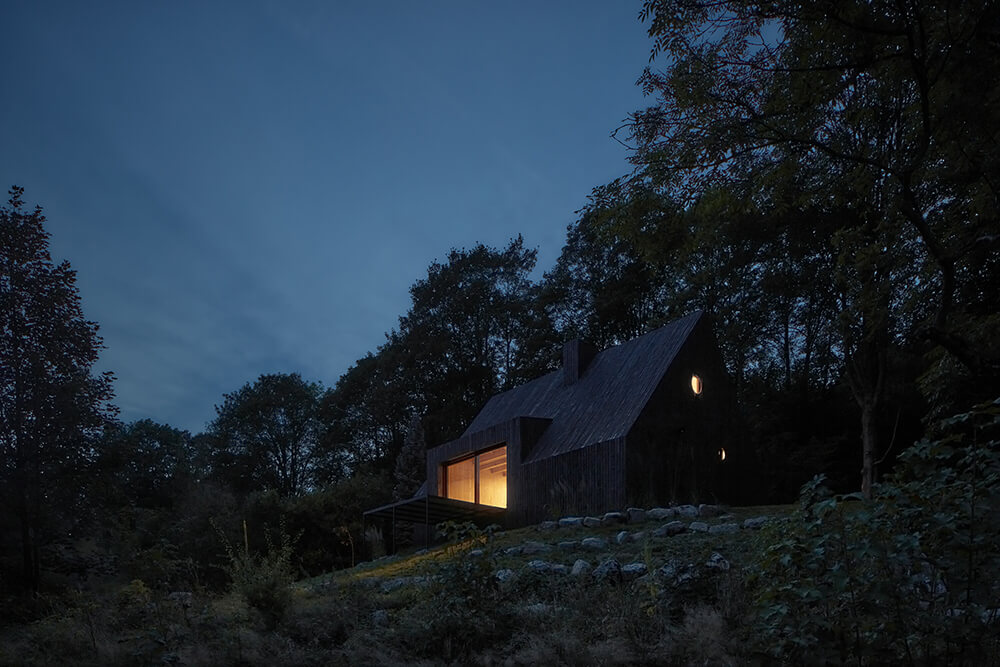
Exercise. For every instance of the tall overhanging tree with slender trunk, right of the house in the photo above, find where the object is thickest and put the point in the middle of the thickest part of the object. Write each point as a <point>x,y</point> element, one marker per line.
<point>881,106</point>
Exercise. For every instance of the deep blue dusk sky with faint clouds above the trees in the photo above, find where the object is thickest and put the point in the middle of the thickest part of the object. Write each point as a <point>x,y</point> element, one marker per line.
<point>252,187</point>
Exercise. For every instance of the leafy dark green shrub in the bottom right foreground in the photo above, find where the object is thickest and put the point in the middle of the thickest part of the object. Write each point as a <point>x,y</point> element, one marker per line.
<point>910,577</point>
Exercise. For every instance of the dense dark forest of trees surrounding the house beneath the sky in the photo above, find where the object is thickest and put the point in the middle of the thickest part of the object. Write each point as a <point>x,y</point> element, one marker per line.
<point>820,179</point>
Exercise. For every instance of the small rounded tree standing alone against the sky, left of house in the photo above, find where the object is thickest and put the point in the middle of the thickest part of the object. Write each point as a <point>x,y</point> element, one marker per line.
<point>268,434</point>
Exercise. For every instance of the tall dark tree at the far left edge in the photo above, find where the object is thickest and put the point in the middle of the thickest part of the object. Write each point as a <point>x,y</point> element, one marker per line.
<point>51,402</point>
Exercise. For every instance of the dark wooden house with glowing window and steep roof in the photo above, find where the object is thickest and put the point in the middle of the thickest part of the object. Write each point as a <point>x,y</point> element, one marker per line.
<point>640,424</point>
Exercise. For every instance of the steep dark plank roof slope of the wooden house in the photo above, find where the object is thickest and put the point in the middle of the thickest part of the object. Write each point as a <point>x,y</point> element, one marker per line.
<point>603,404</point>
